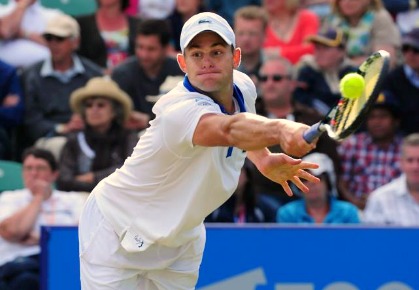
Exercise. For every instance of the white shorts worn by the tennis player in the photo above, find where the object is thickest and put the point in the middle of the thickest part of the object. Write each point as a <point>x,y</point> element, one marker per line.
<point>105,265</point>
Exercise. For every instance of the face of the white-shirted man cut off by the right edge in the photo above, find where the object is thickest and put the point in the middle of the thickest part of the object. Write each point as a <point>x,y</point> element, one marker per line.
<point>410,165</point>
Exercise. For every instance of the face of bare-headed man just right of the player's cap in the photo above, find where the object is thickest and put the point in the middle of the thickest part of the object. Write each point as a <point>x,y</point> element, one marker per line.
<point>250,35</point>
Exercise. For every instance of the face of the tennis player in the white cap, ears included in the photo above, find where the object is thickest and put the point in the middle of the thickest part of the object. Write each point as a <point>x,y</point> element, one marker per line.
<point>209,63</point>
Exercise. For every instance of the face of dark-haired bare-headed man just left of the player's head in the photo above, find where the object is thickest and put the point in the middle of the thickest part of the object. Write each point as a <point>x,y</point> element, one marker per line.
<point>150,52</point>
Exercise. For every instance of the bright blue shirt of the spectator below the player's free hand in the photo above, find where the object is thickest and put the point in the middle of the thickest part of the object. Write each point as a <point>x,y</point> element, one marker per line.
<point>341,212</point>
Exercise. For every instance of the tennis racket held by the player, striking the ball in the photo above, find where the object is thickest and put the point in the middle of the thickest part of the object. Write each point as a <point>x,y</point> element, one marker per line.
<point>347,116</point>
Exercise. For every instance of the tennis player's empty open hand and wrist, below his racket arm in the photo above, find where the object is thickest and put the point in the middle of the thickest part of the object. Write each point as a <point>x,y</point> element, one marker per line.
<point>283,169</point>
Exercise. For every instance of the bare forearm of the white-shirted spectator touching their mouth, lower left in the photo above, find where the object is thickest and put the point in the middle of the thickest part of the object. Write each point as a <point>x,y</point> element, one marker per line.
<point>17,227</point>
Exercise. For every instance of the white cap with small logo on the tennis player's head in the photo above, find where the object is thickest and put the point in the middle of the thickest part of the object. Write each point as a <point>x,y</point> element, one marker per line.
<point>206,21</point>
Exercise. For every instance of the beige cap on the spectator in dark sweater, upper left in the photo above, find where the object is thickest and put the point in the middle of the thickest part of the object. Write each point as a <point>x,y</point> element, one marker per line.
<point>62,25</point>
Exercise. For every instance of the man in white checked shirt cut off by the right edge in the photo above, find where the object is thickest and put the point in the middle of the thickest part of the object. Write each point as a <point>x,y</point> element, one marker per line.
<point>397,203</point>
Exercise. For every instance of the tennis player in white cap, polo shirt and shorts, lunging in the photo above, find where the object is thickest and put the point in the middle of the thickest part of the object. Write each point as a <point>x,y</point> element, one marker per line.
<point>142,226</point>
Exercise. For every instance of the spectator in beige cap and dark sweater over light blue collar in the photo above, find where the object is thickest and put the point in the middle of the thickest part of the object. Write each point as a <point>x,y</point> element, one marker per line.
<point>48,84</point>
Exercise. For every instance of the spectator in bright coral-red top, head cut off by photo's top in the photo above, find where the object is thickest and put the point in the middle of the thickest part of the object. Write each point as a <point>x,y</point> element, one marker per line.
<point>288,27</point>
